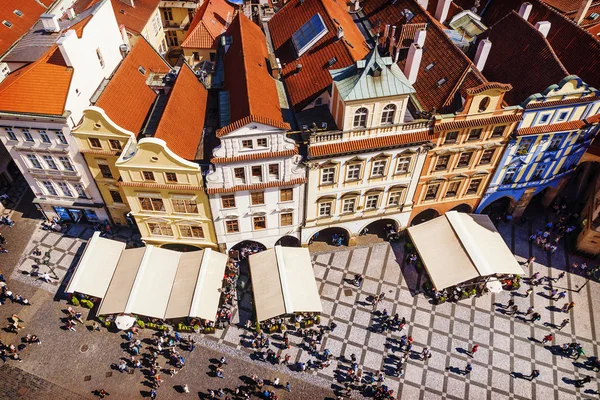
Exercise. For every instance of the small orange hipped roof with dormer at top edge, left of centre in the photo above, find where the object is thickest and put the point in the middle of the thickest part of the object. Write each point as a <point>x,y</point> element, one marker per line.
<point>210,21</point>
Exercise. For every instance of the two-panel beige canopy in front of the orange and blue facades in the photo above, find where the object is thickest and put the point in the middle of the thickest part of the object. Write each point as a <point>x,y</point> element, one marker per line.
<point>457,247</point>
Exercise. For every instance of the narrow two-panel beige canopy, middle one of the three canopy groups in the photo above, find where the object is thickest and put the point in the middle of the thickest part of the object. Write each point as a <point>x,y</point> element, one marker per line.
<point>283,282</point>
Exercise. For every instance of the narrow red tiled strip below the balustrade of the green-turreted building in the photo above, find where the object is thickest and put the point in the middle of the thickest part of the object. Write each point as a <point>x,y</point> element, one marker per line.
<point>368,144</point>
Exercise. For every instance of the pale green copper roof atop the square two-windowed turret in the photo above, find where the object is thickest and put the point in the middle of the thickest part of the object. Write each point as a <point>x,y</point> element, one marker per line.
<point>373,77</point>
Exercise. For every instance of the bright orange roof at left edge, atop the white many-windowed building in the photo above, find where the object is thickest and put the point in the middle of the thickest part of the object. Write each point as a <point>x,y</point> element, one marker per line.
<point>38,88</point>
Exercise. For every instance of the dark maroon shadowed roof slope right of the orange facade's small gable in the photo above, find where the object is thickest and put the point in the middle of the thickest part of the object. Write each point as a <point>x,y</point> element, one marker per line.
<point>532,65</point>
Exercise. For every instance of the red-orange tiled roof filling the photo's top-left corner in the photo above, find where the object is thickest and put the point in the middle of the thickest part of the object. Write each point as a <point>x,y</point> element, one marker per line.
<point>31,10</point>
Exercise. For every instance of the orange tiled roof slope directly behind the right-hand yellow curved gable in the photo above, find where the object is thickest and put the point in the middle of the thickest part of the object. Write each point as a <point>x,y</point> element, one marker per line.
<point>182,122</point>
